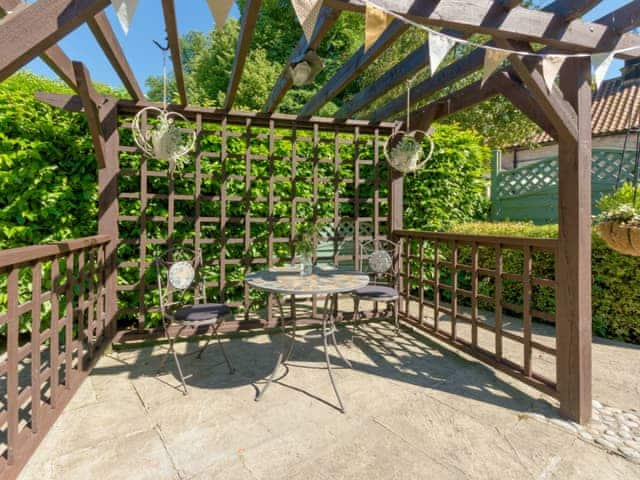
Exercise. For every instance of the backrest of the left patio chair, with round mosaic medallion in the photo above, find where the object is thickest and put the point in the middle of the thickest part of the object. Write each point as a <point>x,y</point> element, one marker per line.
<point>178,275</point>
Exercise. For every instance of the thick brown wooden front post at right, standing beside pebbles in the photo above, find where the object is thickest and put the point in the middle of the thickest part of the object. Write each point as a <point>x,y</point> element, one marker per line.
<point>573,328</point>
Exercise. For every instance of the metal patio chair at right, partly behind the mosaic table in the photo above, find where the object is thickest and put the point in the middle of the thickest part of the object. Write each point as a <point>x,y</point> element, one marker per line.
<point>379,259</point>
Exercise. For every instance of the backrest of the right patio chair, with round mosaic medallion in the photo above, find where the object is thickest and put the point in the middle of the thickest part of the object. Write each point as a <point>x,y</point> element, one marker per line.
<point>379,258</point>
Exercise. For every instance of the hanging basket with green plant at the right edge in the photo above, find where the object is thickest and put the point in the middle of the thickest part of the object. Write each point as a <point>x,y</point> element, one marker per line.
<point>619,222</point>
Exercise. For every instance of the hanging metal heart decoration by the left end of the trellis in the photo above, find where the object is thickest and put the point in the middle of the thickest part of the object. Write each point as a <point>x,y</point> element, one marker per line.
<point>163,140</point>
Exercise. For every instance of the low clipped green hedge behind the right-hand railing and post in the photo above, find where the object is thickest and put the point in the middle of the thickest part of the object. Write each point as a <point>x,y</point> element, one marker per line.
<point>616,279</point>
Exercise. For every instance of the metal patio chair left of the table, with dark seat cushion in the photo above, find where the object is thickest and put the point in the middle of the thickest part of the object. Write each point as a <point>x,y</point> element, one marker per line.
<point>183,302</point>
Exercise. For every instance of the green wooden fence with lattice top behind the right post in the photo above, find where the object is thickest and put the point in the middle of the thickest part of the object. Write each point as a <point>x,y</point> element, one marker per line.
<point>530,193</point>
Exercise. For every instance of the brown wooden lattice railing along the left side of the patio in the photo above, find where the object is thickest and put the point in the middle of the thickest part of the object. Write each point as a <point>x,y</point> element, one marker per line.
<point>53,316</point>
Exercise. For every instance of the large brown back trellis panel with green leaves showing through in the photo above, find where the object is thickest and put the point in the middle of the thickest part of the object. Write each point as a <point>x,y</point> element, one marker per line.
<point>241,200</point>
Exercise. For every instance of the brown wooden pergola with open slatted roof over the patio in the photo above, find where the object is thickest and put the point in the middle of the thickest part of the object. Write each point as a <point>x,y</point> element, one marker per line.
<point>29,30</point>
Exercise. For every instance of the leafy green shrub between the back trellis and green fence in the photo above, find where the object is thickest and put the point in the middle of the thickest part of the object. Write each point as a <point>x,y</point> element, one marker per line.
<point>449,189</point>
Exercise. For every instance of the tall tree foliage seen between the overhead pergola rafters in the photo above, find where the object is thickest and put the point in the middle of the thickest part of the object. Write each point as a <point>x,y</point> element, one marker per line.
<point>207,59</point>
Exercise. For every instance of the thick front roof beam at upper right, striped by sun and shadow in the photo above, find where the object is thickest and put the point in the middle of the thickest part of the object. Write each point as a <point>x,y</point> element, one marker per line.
<point>519,23</point>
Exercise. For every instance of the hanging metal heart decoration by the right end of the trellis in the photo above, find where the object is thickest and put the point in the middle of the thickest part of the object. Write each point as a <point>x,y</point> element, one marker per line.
<point>403,149</point>
